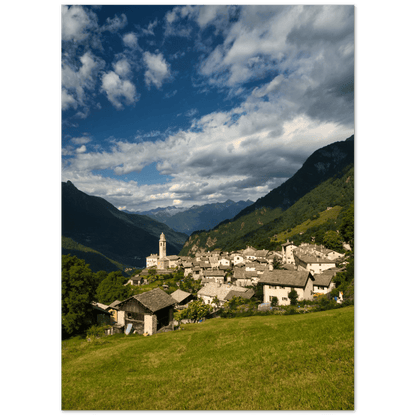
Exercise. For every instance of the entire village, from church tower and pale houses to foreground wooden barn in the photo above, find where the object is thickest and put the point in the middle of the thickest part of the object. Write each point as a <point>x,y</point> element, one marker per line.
<point>308,269</point>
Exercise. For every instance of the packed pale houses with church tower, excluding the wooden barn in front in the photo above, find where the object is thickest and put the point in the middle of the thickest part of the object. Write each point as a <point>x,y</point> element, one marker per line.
<point>309,269</point>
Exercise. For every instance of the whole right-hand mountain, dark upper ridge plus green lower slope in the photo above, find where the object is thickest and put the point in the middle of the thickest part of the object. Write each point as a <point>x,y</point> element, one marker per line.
<point>326,179</point>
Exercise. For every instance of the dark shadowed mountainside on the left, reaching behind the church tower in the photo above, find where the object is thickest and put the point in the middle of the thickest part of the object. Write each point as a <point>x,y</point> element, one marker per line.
<point>125,238</point>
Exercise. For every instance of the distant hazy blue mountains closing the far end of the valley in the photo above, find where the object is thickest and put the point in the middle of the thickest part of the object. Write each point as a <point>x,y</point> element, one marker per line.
<point>198,217</point>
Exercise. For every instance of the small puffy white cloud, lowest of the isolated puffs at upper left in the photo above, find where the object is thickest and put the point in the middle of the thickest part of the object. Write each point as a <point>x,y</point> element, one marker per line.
<point>117,88</point>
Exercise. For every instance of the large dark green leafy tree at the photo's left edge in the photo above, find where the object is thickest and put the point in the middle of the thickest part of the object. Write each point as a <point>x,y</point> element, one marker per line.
<point>77,293</point>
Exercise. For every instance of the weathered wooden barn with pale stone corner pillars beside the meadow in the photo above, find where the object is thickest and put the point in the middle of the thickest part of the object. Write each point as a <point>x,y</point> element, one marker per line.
<point>148,312</point>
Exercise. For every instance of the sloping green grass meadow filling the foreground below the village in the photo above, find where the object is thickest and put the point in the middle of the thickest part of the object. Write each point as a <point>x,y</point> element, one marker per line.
<point>299,362</point>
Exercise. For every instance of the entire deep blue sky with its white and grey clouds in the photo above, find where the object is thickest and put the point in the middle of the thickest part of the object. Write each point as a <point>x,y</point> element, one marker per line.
<point>182,105</point>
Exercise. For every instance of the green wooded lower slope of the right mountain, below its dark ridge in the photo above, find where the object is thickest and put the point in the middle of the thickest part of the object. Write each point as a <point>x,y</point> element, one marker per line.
<point>264,227</point>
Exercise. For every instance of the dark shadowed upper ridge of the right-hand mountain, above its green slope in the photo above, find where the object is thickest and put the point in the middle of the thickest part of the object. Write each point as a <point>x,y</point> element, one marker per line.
<point>320,166</point>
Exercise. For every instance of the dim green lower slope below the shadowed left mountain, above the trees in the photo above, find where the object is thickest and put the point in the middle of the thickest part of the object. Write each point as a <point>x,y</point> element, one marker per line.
<point>95,259</point>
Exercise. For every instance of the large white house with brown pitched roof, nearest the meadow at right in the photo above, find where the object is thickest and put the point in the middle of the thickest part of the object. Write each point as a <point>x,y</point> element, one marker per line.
<point>278,283</point>
